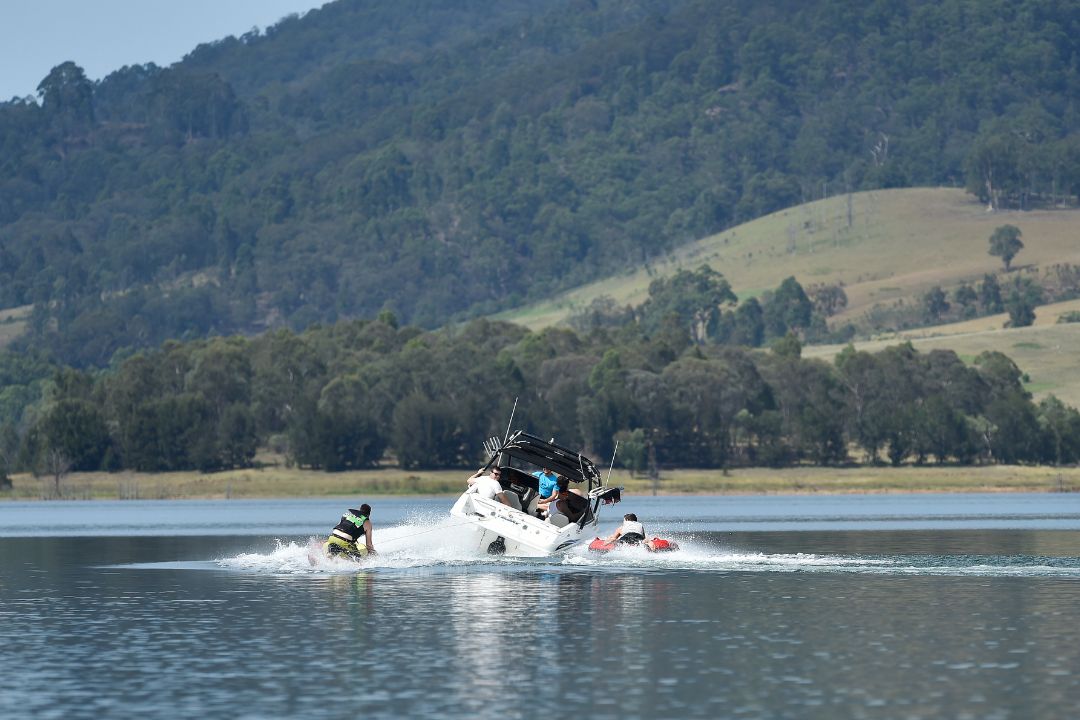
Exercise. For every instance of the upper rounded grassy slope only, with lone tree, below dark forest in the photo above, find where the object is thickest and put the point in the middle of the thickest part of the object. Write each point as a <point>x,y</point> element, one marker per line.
<point>883,246</point>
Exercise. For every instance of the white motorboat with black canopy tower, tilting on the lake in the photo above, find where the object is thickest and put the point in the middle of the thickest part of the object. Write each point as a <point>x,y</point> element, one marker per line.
<point>516,529</point>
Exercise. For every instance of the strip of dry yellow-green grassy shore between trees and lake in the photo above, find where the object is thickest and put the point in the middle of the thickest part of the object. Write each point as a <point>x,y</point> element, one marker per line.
<point>277,482</point>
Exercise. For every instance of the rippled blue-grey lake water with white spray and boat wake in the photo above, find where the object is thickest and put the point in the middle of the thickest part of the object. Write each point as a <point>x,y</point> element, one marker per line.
<point>777,607</point>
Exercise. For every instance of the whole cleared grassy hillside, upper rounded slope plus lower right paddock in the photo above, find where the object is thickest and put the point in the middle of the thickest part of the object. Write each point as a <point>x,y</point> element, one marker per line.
<point>899,244</point>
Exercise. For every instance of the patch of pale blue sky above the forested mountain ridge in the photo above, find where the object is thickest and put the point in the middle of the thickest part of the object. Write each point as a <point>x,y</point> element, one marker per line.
<point>103,36</point>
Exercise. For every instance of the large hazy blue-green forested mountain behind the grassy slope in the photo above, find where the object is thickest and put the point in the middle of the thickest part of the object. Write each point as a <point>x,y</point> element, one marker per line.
<point>448,159</point>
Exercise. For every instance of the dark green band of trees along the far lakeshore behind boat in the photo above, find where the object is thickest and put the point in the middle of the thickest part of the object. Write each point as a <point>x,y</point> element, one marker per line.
<point>359,393</point>
